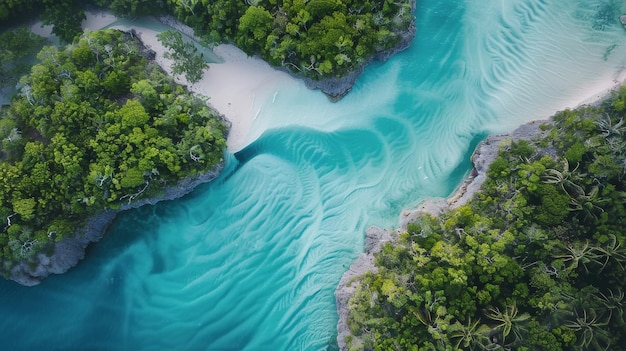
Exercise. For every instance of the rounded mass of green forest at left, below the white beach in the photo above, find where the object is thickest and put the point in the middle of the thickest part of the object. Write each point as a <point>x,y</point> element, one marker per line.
<point>95,125</point>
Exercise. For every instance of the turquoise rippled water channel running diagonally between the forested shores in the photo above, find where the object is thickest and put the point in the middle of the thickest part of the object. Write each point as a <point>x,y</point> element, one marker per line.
<point>251,260</point>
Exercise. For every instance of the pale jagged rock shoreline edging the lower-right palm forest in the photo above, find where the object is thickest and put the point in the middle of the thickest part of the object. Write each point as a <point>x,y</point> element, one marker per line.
<point>375,237</point>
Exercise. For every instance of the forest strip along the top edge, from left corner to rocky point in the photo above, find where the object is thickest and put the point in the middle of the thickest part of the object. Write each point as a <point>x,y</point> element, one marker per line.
<point>317,38</point>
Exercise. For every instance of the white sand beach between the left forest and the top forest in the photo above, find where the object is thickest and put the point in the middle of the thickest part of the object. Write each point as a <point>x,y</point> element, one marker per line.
<point>237,88</point>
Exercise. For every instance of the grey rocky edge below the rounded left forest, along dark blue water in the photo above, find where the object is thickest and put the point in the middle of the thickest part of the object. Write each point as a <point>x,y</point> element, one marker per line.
<point>69,251</point>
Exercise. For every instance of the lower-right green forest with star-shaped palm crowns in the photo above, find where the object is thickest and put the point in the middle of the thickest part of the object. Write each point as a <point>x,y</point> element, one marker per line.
<point>535,261</point>
